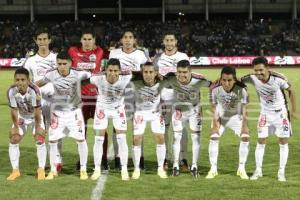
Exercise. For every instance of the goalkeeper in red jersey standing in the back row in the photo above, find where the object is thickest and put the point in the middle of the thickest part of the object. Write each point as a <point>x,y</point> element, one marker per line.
<point>88,57</point>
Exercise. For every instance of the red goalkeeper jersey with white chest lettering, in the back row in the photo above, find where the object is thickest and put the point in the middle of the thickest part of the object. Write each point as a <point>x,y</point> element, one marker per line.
<point>88,61</point>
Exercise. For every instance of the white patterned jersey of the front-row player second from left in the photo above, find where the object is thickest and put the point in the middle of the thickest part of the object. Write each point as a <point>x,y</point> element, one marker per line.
<point>66,88</point>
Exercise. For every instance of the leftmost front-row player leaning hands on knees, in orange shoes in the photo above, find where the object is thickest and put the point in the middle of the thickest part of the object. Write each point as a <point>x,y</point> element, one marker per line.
<point>25,103</point>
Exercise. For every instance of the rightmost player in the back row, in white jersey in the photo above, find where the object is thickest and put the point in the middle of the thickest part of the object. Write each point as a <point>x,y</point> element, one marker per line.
<point>167,62</point>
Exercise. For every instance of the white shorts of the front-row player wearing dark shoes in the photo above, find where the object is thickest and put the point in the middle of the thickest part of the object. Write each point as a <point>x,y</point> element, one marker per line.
<point>193,116</point>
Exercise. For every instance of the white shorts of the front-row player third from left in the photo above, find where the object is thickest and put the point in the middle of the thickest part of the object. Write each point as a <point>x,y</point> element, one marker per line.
<point>117,115</point>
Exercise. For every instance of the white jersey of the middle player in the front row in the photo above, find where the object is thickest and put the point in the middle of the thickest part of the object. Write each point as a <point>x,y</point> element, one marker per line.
<point>147,98</point>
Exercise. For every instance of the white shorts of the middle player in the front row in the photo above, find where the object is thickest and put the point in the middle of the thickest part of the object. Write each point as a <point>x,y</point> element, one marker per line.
<point>141,118</point>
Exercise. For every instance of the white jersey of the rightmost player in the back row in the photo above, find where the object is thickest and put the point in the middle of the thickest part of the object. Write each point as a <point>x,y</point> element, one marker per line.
<point>168,63</point>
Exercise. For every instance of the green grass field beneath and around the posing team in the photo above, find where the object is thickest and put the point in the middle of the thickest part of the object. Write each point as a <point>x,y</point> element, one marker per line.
<point>226,186</point>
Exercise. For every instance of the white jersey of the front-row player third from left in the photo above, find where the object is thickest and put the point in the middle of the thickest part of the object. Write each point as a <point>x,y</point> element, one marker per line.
<point>110,96</point>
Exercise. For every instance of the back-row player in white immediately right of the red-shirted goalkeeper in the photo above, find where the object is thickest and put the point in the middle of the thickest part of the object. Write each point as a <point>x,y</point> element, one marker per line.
<point>130,59</point>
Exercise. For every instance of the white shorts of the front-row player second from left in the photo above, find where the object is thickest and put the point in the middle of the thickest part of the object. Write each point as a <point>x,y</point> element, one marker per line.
<point>67,123</point>
